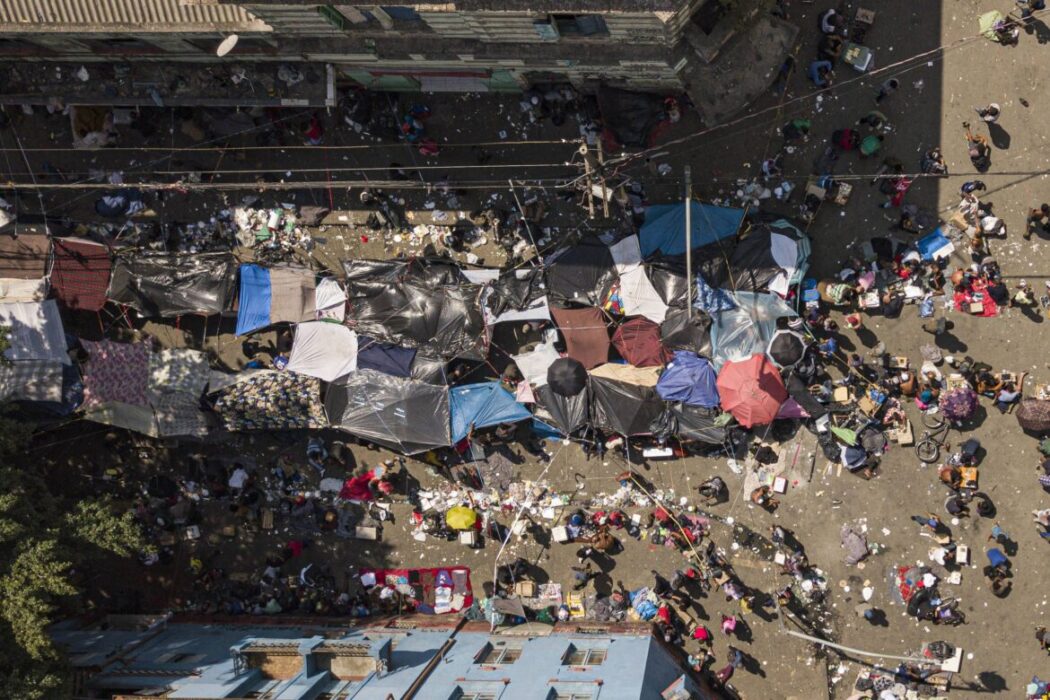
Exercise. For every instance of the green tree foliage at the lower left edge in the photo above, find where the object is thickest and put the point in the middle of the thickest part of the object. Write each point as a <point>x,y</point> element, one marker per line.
<point>44,538</point>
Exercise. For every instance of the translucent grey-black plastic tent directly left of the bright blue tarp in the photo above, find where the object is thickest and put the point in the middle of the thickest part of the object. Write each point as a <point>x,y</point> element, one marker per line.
<point>405,415</point>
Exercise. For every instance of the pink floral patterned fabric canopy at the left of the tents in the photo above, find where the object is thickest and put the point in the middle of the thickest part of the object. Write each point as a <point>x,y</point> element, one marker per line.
<point>116,373</point>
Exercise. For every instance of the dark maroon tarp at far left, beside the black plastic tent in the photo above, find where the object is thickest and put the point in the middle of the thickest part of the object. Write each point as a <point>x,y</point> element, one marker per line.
<point>80,273</point>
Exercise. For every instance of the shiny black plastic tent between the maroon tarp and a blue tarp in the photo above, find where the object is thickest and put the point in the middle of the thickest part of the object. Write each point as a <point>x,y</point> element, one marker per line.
<point>170,285</point>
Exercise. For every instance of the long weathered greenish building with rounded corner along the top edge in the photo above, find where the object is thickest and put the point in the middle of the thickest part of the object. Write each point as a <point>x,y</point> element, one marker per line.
<point>467,46</point>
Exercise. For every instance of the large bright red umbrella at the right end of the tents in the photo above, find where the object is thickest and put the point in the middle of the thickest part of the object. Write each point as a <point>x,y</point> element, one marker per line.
<point>752,391</point>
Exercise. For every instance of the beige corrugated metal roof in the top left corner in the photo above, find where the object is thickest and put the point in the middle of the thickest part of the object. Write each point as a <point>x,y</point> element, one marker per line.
<point>145,16</point>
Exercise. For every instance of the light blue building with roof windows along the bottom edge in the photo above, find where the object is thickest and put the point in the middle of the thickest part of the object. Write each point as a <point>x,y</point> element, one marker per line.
<point>413,657</point>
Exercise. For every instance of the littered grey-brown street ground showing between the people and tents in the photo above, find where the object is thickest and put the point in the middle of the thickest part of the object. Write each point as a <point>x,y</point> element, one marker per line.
<point>939,92</point>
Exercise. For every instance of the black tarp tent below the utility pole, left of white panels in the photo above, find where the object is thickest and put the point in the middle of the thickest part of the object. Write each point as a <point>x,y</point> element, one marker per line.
<point>583,274</point>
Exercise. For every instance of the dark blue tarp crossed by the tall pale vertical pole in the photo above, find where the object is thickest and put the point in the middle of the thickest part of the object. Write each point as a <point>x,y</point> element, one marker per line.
<point>665,227</point>
